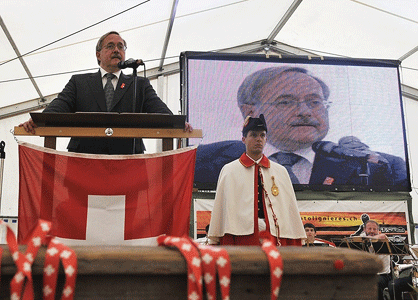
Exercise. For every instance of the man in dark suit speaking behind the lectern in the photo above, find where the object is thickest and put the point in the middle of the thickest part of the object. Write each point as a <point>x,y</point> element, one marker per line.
<point>108,90</point>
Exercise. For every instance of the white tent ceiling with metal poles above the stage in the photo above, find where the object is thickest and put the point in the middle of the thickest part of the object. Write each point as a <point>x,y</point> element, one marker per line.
<point>57,38</point>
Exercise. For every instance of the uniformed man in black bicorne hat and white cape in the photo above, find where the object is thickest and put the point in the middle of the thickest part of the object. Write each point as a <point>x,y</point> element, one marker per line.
<point>255,195</point>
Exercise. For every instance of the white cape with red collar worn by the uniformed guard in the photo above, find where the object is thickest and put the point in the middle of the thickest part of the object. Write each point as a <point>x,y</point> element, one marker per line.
<point>233,210</point>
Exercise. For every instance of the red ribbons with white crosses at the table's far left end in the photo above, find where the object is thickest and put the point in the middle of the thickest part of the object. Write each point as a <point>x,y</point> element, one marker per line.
<point>22,282</point>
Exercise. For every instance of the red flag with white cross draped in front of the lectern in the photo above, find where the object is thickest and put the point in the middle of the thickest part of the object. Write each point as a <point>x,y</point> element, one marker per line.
<point>149,193</point>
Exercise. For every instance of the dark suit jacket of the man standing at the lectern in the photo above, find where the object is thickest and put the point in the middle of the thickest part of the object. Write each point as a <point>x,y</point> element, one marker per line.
<point>84,93</point>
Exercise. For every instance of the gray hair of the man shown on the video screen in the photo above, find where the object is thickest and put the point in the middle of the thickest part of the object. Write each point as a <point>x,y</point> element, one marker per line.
<point>248,92</point>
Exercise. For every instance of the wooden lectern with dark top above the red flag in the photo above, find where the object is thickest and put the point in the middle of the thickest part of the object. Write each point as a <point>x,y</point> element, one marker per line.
<point>109,125</point>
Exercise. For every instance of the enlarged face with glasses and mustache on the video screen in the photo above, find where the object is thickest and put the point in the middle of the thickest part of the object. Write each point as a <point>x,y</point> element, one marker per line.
<point>295,112</point>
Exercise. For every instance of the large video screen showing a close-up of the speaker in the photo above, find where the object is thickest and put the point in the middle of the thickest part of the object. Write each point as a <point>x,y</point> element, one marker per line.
<point>342,119</point>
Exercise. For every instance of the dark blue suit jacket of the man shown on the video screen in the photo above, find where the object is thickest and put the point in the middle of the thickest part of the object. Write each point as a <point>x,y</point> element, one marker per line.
<point>210,159</point>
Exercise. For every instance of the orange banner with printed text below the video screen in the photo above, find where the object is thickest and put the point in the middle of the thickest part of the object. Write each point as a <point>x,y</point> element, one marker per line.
<point>335,220</point>
